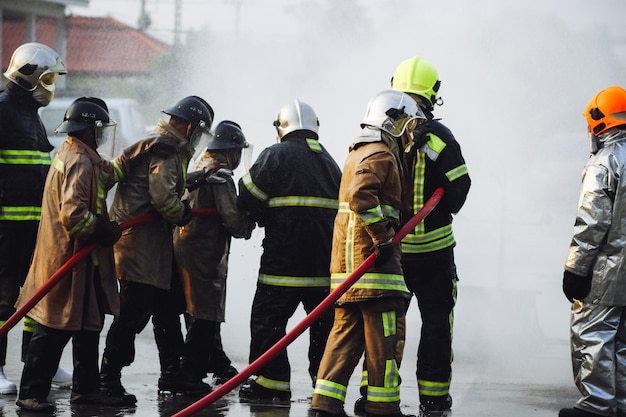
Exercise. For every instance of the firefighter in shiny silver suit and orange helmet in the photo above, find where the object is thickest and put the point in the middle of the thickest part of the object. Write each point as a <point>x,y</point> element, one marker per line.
<point>594,280</point>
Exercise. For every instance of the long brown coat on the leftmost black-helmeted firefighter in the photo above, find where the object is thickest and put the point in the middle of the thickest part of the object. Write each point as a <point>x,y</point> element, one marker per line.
<point>74,193</point>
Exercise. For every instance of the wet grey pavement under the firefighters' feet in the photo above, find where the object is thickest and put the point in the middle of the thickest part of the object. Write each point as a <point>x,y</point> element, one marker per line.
<point>499,371</point>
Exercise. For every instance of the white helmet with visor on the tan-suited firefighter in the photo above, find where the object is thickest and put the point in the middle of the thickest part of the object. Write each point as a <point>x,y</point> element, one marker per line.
<point>392,111</point>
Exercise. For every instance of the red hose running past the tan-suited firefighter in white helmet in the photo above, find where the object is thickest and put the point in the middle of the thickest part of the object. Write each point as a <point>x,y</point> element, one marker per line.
<point>327,303</point>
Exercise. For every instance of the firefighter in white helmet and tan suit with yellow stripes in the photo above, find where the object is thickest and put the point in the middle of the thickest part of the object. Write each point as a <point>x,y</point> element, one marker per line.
<point>371,314</point>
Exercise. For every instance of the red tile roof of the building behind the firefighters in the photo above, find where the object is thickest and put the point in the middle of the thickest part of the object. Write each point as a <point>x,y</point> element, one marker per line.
<point>95,45</point>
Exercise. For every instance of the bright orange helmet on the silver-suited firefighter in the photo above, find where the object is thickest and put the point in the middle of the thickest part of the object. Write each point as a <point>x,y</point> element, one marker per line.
<point>606,110</point>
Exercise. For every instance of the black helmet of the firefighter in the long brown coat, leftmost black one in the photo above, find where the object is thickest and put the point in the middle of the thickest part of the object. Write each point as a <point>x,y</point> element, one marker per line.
<point>85,113</point>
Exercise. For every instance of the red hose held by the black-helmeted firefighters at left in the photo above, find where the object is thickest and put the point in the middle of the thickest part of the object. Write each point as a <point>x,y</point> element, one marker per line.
<point>70,263</point>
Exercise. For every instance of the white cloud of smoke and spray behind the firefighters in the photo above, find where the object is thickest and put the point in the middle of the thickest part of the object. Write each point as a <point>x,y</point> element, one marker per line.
<point>515,79</point>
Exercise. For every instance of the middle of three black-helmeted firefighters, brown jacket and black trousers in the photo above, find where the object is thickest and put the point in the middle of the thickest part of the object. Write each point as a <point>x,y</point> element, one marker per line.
<point>144,254</point>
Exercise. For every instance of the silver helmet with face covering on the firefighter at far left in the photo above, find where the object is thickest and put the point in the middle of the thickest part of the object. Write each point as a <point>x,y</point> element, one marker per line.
<point>31,62</point>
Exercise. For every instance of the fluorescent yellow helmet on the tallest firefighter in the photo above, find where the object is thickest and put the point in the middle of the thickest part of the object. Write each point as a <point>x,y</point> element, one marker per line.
<point>417,76</point>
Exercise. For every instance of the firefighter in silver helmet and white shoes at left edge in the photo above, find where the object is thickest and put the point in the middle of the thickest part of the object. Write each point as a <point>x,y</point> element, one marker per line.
<point>24,162</point>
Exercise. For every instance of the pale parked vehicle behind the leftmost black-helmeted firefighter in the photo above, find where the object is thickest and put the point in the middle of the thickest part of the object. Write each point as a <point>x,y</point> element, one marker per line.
<point>125,111</point>
